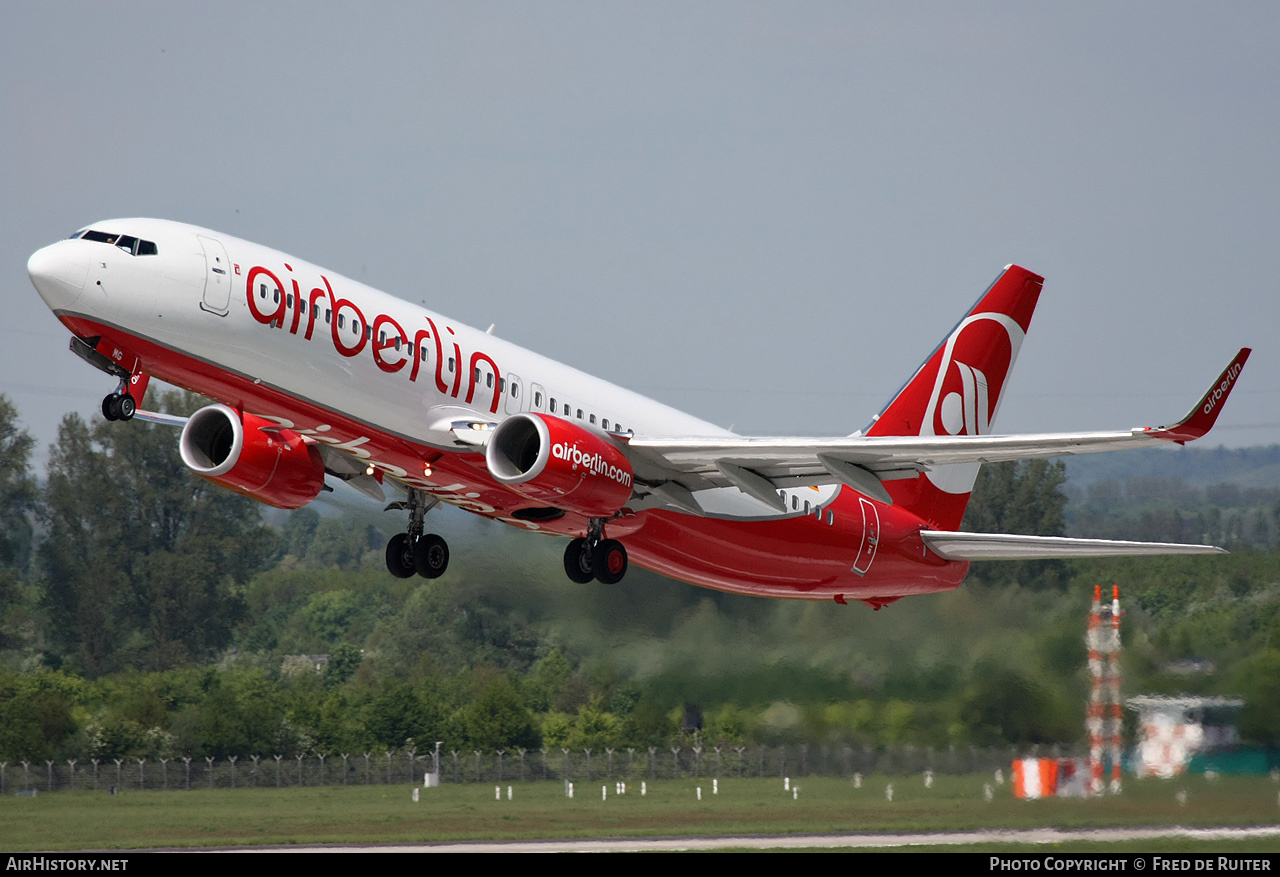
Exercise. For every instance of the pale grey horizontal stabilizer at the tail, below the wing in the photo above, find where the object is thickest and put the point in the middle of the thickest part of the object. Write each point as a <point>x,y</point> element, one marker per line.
<point>1009,547</point>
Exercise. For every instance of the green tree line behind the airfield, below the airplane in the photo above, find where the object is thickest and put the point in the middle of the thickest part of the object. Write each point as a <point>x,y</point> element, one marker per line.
<point>149,614</point>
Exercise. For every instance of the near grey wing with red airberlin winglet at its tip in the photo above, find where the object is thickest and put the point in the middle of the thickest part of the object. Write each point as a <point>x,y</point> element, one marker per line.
<point>758,467</point>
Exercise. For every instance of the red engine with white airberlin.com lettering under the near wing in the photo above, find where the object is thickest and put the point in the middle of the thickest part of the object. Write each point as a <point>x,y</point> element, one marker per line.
<point>560,464</point>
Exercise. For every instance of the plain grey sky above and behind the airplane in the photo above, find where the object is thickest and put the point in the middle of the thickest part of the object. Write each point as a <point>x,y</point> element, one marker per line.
<point>765,214</point>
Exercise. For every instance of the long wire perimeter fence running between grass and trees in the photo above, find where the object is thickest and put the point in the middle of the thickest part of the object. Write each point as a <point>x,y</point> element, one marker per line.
<point>508,766</point>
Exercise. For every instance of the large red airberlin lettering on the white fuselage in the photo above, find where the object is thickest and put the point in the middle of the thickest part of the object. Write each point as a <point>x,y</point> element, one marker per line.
<point>388,341</point>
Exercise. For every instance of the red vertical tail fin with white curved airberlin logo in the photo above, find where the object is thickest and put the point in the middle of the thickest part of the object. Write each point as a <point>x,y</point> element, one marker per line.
<point>958,392</point>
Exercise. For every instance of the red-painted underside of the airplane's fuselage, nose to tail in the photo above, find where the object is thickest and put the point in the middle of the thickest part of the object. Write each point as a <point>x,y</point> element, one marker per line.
<point>797,558</point>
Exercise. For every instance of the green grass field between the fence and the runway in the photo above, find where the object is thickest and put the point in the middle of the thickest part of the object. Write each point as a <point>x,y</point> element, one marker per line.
<point>372,815</point>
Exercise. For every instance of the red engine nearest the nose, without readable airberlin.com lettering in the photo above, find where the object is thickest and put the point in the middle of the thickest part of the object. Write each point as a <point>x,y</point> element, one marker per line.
<point>253,456</point>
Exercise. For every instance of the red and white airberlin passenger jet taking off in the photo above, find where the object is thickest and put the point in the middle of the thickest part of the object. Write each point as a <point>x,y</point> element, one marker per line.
<point>318,377</point>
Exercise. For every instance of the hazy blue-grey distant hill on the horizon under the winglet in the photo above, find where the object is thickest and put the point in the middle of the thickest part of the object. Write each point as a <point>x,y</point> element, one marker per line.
<point>1252,468</point>
